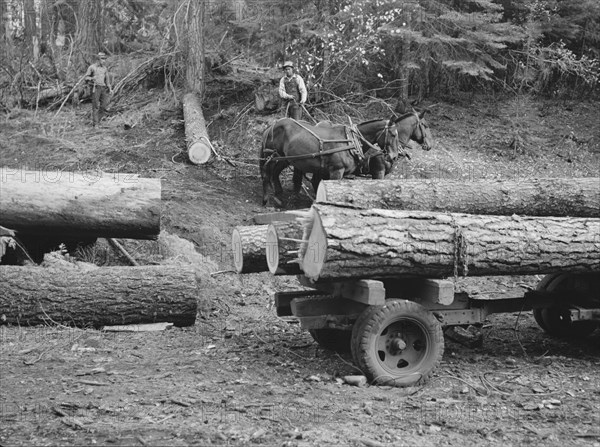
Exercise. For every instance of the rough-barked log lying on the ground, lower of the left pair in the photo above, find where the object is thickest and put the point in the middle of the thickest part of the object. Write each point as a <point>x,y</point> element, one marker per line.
<point>98,296</point>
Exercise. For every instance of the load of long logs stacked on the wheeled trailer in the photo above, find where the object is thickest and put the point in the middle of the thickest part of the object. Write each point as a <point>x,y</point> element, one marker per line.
<point>439,229</point>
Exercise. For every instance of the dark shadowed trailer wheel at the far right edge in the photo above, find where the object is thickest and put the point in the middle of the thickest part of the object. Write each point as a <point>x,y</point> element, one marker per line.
<point>556,320</point>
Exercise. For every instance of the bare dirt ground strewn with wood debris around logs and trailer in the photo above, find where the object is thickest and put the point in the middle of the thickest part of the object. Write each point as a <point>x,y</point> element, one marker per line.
<point>243,376</point>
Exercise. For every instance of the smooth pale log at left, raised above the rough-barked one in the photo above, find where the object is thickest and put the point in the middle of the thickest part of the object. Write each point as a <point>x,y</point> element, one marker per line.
<point>98,204</point>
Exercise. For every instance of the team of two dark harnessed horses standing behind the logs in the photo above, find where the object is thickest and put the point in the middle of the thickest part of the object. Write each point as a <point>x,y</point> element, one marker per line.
<point>334,151</point>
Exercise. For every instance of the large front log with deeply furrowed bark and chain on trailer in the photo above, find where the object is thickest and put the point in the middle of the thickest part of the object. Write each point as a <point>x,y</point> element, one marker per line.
<point>378,244</point>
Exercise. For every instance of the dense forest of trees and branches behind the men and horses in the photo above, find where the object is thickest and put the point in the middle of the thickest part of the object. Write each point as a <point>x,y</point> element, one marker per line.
<point>404,49</point>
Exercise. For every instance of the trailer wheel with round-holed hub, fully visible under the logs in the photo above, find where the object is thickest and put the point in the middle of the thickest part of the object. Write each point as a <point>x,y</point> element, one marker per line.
<point>399,344</point>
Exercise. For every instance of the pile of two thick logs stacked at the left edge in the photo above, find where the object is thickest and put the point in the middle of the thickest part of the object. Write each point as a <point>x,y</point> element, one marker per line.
<point>43,207</point>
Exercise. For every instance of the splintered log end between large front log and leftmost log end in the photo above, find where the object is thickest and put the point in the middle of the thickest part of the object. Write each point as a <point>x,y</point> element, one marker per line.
<point>282,244</point>
